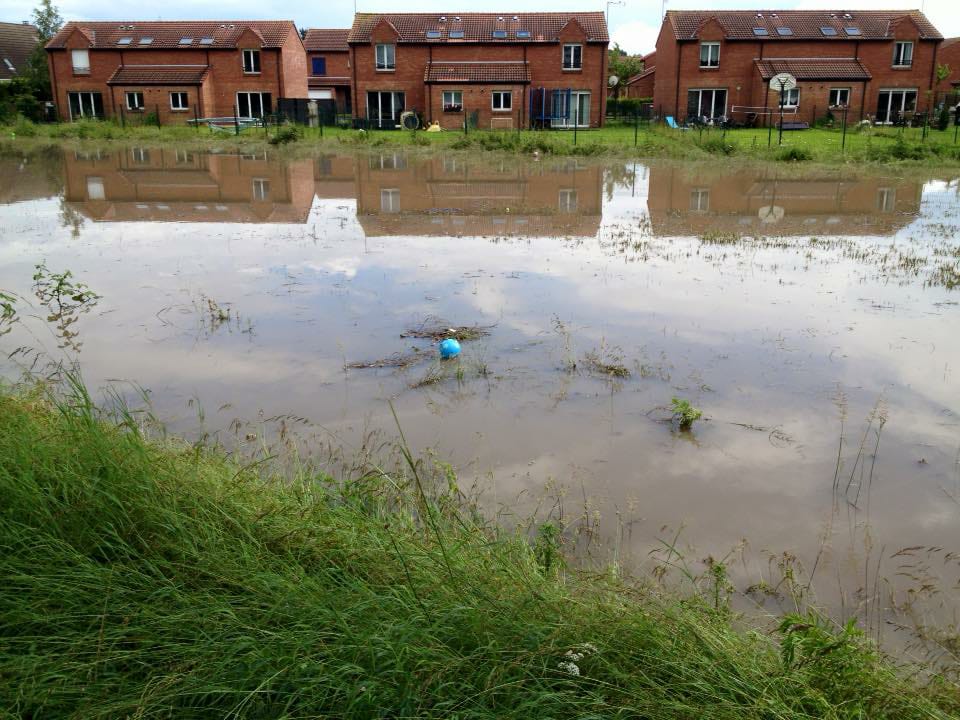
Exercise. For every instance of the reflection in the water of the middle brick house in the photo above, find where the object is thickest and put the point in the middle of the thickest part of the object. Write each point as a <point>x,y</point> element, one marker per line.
<point>455,195</point>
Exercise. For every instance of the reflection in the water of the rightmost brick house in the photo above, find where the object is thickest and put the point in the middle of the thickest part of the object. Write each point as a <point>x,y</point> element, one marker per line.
<point>684,202</point>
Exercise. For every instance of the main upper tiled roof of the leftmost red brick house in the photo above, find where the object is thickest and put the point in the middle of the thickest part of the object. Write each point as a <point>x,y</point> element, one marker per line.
<point>225,33</point>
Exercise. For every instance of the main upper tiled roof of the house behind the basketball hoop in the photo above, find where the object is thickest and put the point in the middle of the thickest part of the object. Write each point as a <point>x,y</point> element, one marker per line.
<point>803,24</point>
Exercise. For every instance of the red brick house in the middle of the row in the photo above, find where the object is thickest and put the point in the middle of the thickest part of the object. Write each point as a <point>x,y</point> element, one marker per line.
<point>494,70</point>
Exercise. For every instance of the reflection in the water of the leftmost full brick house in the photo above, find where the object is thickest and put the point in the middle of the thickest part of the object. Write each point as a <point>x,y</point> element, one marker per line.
<point>150,184</point>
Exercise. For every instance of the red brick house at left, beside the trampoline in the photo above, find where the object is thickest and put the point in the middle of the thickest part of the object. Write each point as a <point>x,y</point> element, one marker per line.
<point>177,69</point>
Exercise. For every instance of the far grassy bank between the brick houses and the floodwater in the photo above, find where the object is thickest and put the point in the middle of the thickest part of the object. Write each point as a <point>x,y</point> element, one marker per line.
<point>880,145</point>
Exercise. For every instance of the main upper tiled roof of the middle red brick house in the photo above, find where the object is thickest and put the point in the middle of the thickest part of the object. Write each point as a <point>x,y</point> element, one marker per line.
<point>479,27</point>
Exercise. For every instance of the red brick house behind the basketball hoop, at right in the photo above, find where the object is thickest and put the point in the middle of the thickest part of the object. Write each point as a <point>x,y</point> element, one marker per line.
<point>878,64</point>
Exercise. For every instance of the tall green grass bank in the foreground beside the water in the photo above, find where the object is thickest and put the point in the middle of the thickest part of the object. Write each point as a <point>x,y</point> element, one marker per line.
<point>147,579</point>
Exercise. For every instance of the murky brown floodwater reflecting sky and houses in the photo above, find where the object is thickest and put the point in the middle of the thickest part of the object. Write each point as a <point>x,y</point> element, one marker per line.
<point>813,316</point>
